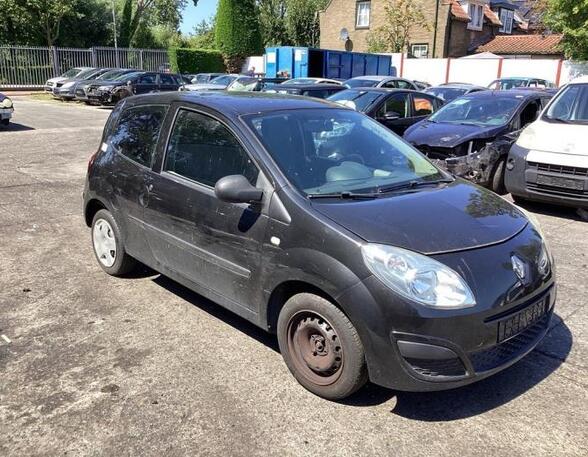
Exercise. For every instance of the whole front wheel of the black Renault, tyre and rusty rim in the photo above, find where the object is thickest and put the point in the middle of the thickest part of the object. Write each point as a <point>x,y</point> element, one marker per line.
<point>321,347</point>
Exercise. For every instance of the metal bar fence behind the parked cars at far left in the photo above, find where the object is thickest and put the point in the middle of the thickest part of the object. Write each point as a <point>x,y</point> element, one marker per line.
<point>30,67</point>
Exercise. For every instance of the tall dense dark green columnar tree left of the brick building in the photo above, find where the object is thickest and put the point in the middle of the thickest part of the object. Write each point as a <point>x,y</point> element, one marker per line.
<point>237,33</point>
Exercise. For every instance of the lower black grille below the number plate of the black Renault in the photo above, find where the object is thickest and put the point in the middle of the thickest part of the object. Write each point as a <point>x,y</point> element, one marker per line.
<point>502,353</point>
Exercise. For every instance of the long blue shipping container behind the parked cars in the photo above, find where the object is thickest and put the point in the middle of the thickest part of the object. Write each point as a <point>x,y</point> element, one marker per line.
<point>299,62</point>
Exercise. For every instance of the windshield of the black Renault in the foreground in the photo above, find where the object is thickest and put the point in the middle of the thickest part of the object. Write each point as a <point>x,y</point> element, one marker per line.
<point>334,151</point>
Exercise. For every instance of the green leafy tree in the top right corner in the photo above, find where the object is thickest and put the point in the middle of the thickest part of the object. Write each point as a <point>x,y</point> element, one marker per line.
<point>569,17</point>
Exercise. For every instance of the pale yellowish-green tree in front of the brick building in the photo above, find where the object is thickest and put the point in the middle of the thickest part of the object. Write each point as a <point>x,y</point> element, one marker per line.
<point>400,16</point>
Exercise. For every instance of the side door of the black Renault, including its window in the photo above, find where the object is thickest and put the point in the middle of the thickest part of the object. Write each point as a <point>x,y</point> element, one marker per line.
<point>212,243</point>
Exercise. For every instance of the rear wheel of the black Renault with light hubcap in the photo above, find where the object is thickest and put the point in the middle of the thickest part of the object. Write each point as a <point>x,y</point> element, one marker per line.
<point>108,245</point>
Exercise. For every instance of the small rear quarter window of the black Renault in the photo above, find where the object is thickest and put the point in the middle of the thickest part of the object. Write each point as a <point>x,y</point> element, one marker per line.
<point>137,132</point>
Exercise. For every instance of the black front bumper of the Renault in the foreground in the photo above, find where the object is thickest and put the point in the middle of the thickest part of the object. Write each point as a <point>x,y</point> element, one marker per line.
<point>415,348</point>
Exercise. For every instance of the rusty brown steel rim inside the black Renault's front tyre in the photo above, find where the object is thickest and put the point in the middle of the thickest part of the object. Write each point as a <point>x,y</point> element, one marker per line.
<point>315,348</point>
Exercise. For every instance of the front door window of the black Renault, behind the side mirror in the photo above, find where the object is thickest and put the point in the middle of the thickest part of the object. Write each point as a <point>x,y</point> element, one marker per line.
<point>204,150</point>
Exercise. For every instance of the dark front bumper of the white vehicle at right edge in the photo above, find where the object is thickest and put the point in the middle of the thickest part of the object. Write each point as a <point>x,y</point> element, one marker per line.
<point>545,182</point>
